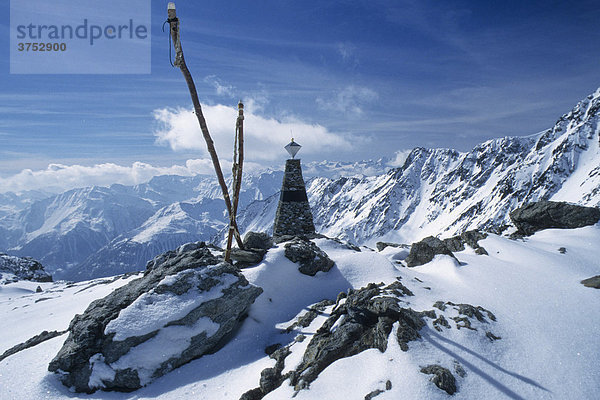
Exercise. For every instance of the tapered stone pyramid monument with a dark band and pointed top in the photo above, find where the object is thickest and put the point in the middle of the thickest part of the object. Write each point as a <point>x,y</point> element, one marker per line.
<point>293,216</point>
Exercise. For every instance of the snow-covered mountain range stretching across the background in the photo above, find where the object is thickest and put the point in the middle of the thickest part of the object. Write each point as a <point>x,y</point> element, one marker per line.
<point>100,231</point>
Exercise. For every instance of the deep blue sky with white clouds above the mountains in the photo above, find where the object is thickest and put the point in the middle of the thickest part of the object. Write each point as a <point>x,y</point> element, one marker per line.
<point>352,80</point>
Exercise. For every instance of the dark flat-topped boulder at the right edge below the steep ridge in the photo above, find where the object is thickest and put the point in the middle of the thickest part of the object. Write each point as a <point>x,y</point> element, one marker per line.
<point>541,215</point>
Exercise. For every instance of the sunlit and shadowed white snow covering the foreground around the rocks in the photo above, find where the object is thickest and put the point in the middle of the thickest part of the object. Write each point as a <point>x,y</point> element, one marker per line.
<point>548,323</point>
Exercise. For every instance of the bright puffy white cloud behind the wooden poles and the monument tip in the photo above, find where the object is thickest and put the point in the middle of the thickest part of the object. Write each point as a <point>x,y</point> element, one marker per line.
<point>264,137</point>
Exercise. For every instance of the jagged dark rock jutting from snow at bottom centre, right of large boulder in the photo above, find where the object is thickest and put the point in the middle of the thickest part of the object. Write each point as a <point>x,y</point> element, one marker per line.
<point>363,322</point>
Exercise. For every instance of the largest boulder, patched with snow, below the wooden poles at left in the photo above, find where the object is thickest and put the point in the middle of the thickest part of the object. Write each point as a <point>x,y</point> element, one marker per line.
<point>184,306</point>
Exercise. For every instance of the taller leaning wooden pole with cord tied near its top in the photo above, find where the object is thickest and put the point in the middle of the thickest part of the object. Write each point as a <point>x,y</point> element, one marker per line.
<point>180,63</point>
